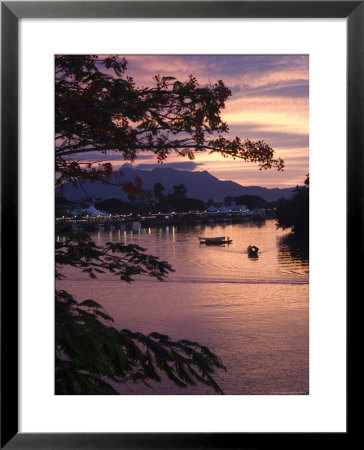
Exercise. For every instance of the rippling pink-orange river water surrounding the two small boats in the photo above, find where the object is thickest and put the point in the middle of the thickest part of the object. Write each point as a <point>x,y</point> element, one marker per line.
<point>253,313</point>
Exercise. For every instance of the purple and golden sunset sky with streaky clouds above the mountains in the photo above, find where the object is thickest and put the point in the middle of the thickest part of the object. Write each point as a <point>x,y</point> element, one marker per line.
<point>270,102</point>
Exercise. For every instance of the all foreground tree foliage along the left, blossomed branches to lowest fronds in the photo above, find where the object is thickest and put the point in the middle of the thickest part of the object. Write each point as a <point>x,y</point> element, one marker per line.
<point>100,109</point>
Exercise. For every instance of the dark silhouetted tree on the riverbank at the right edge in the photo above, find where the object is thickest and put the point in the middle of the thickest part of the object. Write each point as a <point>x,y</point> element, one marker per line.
<point>294,212</point>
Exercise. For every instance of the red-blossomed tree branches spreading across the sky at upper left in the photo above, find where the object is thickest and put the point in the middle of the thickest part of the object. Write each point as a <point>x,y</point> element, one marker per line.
<point>99,108</point>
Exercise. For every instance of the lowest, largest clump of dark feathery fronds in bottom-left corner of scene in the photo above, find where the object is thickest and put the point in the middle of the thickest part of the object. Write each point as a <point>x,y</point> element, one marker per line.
<point>115,356</point>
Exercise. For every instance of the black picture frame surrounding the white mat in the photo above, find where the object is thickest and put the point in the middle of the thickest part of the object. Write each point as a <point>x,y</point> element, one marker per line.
<point>11,12</point>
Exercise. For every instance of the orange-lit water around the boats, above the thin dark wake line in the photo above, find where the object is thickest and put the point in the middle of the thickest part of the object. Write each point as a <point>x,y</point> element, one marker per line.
<point>282,257</point>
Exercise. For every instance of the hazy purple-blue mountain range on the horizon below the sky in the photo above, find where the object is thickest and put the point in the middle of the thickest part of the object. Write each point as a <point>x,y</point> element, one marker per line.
<point>199,184</point>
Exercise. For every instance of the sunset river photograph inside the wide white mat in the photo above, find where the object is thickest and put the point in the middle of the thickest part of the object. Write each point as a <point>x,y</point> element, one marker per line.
<point>181,224</point>
